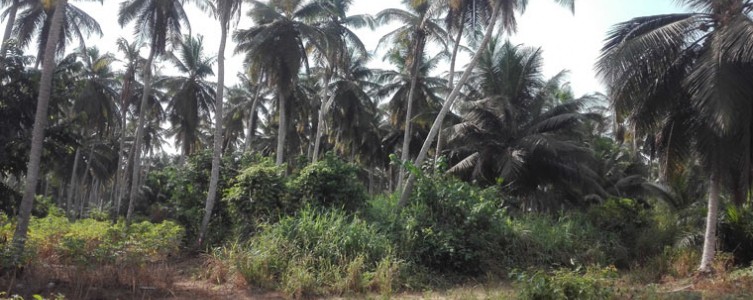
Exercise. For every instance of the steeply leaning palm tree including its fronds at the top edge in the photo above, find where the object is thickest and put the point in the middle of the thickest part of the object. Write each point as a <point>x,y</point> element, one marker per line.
<point>503,10</point>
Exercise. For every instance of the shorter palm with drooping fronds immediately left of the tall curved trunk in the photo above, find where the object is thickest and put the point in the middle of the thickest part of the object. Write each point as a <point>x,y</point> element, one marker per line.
<point>190,96</point>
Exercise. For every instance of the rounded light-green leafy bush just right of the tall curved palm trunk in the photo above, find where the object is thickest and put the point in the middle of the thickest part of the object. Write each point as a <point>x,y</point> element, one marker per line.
<point>258,194</point>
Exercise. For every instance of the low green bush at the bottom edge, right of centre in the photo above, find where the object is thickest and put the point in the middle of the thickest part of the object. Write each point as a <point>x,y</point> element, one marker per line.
<point>593,283</point>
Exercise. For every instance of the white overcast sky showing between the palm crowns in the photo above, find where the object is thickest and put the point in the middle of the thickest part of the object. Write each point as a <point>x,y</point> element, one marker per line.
<point>569,41</point>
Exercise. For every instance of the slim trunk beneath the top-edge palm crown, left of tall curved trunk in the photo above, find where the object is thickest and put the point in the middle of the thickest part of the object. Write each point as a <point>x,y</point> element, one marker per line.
<point>143,114</point>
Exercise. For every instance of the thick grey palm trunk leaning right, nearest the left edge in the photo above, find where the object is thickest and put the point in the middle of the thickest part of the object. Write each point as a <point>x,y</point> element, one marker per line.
<point>37,137</point>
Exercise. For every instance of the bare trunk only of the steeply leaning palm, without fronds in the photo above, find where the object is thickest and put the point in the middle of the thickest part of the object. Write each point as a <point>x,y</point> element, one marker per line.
<point>447,104</point>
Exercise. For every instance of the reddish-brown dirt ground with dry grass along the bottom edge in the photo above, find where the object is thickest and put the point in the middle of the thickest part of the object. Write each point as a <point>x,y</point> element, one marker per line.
<point>185,280</point>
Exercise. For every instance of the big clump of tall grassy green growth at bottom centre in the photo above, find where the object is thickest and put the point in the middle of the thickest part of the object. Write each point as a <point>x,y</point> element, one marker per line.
<point>317,253</point>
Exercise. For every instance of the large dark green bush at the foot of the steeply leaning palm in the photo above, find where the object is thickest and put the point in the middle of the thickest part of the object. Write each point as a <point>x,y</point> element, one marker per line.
<point>448,226</point>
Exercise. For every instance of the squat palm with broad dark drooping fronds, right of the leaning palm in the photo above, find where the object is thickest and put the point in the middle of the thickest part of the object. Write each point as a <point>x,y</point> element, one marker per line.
<point>520,132</point>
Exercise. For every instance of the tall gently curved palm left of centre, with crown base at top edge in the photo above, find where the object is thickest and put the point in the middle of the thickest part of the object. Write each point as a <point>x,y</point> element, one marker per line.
<point>225,11</point>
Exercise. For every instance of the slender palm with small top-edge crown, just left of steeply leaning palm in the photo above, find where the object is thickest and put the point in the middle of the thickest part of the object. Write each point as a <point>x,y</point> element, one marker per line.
<point>419,27</point>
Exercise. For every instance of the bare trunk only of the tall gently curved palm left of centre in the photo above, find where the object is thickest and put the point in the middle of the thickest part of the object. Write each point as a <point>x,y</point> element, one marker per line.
<point>215,173</point>
